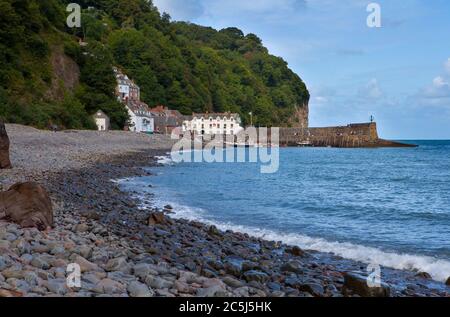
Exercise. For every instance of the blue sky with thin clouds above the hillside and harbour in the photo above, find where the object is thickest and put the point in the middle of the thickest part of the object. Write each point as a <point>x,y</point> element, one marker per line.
<point>399,72</point>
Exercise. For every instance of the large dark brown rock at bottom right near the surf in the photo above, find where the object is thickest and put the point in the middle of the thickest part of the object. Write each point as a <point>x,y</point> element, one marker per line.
<point>358,285</point>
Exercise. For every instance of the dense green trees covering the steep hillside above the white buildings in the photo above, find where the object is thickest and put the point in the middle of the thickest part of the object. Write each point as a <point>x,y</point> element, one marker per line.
<point>182,65</point>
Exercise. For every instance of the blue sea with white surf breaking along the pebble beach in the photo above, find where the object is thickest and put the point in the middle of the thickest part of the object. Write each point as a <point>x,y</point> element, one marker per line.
<point>388,206</point>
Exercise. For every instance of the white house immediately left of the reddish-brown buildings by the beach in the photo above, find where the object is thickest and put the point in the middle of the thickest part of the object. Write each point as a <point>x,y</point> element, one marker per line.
<point>141,119</point>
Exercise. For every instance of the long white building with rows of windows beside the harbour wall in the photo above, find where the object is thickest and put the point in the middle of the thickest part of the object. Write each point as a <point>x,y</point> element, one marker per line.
<point>213,123</point>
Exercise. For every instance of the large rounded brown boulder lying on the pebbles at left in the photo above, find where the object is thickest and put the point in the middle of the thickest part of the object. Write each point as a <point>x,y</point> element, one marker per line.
<point>28,205</point>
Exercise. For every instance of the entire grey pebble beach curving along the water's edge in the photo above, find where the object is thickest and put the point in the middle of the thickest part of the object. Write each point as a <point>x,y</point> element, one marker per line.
<point>126,251</point>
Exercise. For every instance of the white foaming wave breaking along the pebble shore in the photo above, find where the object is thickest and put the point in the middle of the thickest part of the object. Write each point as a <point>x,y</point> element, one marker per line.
<point>439,269</point>
